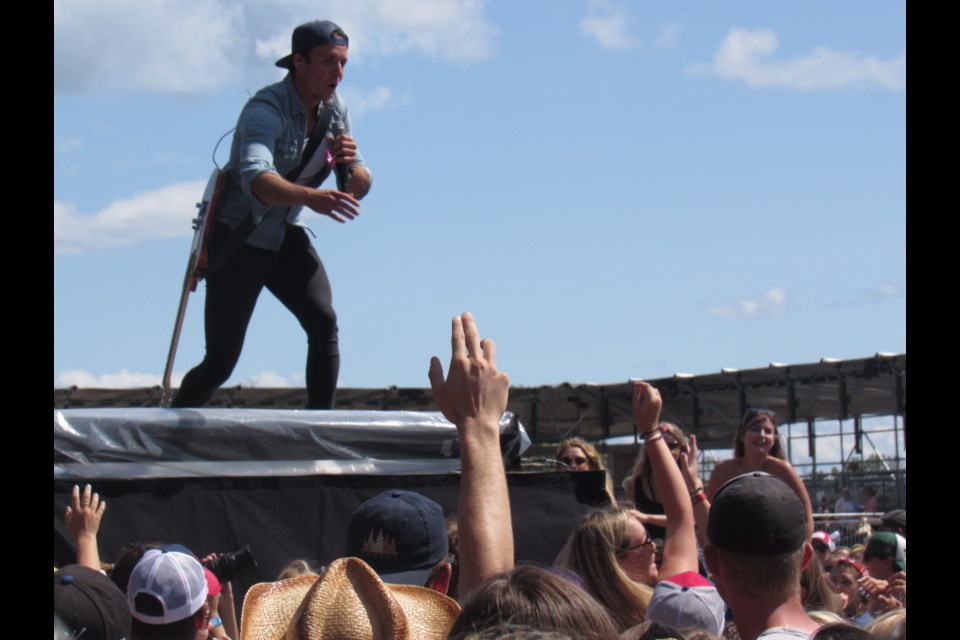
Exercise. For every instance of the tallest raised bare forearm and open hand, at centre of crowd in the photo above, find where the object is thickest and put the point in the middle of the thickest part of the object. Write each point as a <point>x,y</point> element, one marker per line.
<point>474,397</point>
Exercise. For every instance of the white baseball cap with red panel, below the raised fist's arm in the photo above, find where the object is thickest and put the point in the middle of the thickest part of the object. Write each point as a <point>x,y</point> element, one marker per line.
<point>687,600</point>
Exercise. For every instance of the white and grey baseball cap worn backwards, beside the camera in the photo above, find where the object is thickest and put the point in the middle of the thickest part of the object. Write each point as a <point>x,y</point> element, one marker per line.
<point>167,585</point>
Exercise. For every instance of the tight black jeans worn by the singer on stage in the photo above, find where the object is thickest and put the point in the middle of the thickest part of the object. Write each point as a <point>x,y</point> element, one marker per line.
<point>295,275</point>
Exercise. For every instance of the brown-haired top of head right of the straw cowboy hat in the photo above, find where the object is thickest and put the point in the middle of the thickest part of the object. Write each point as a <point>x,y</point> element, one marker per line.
<point>532,596</point>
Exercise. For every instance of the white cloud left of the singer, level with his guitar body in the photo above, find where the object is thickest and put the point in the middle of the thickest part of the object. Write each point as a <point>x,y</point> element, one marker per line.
<point>153,215</point>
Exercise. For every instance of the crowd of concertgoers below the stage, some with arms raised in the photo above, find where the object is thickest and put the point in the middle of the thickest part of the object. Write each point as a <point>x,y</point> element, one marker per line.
<point>732,557</point>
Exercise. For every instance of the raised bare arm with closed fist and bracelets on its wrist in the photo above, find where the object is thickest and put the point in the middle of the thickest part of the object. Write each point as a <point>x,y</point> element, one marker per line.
<point>680,543</point>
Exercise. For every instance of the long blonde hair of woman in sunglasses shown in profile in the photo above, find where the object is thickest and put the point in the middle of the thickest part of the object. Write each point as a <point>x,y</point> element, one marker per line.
<point>592,552</point>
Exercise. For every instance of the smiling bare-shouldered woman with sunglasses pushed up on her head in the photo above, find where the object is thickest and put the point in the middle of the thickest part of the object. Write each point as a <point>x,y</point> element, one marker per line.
<point>757,447</point>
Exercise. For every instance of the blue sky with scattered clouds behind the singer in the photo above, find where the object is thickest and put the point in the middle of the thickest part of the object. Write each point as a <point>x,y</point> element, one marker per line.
<point>615,189</point>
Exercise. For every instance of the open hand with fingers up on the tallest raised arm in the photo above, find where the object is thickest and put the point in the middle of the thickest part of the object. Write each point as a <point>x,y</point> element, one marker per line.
<point>474,390</point>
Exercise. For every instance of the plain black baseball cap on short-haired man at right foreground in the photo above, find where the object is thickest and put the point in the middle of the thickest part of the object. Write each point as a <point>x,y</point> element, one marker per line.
<point>757,514</point>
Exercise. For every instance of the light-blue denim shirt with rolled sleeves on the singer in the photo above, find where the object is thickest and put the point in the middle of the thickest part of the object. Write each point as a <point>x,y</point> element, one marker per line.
<point>270,136</point>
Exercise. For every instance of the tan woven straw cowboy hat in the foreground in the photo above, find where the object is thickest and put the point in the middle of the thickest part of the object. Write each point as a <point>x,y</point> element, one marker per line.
<point>347,602</point>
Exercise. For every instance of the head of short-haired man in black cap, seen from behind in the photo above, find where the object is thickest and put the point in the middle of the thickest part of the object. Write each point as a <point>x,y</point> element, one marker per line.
<point>757,538</point>
